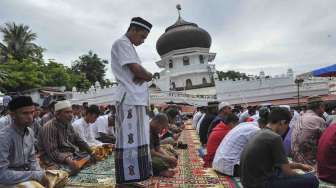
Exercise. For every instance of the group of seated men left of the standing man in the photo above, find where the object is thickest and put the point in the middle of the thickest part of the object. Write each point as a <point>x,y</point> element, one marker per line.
<point>34,139</point>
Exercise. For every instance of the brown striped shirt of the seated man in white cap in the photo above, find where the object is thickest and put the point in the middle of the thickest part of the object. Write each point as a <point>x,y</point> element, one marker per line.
<point>59,141</point>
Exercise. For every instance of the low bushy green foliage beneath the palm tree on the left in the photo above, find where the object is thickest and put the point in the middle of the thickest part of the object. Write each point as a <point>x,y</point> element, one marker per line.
<point>28,74</point>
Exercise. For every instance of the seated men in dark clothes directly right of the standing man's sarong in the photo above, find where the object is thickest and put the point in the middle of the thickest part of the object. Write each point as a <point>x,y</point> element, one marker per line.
<point>165,130</point>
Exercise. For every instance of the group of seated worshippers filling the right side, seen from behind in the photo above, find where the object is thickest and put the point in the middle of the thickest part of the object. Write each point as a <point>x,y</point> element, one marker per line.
<point>270,146</point>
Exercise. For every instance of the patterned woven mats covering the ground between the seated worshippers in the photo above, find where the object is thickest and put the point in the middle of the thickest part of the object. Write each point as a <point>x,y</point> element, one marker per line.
<point>190,172</point>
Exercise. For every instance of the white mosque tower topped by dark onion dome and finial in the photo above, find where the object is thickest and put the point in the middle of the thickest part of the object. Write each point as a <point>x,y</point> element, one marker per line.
<point>185,59</point>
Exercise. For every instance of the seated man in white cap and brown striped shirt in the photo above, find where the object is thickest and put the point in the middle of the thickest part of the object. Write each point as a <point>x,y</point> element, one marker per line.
<point>60,145</point>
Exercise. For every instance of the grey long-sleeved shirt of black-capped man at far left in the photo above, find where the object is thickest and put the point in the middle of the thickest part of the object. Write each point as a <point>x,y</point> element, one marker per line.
<point>17,156</point>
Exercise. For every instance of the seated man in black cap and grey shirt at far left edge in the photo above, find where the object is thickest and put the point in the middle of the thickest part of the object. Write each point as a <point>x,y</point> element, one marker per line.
<point>18,165</point>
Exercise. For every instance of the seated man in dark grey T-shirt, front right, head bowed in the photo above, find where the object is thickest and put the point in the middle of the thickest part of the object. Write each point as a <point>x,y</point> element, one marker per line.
<point>263,162</point>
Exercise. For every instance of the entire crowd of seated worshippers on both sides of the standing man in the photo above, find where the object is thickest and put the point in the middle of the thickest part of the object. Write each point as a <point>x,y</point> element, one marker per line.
<point>264,146</point>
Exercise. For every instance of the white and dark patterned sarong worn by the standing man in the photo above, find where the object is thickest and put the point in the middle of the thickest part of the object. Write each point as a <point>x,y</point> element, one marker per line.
<point>132,156</point>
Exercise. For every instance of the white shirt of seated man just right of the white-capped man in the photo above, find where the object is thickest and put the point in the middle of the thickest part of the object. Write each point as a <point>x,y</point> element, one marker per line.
<point>83,129</point>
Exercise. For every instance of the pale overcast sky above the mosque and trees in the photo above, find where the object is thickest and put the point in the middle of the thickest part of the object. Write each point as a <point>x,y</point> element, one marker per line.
<point>247,35</point>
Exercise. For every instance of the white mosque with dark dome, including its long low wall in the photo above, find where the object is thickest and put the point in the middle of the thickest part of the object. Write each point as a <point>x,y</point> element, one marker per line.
<point>189,76</point>
